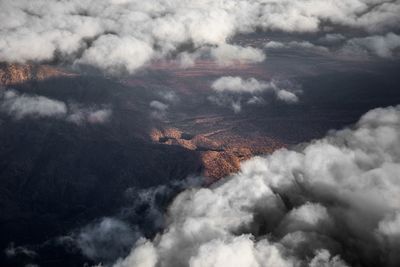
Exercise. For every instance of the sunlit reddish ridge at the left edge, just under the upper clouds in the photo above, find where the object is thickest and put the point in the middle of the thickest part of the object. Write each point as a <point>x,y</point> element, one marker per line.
<point>11,74</point>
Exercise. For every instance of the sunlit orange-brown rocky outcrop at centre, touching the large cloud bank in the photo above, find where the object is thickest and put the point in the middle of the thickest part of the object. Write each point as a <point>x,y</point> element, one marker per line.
<point>220,151</point>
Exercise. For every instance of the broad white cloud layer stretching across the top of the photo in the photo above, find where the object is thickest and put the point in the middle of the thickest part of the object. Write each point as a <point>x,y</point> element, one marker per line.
<point>116,35</point>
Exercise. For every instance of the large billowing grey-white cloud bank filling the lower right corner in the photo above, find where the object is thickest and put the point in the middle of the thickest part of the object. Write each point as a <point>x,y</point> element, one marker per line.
<point>333,202</point>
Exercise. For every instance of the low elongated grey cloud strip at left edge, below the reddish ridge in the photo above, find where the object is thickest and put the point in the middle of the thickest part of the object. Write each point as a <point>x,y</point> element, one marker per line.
<point>20,106</point>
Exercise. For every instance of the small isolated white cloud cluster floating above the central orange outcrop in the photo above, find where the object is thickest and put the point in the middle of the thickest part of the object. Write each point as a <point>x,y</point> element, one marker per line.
<point>235,92</point>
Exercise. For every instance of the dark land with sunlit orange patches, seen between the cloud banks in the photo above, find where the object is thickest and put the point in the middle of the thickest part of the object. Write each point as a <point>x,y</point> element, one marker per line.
<point>57,176</point>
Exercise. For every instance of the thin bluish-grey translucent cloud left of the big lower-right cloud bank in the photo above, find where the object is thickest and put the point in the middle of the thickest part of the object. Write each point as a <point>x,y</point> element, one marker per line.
<point>107,239</point>
